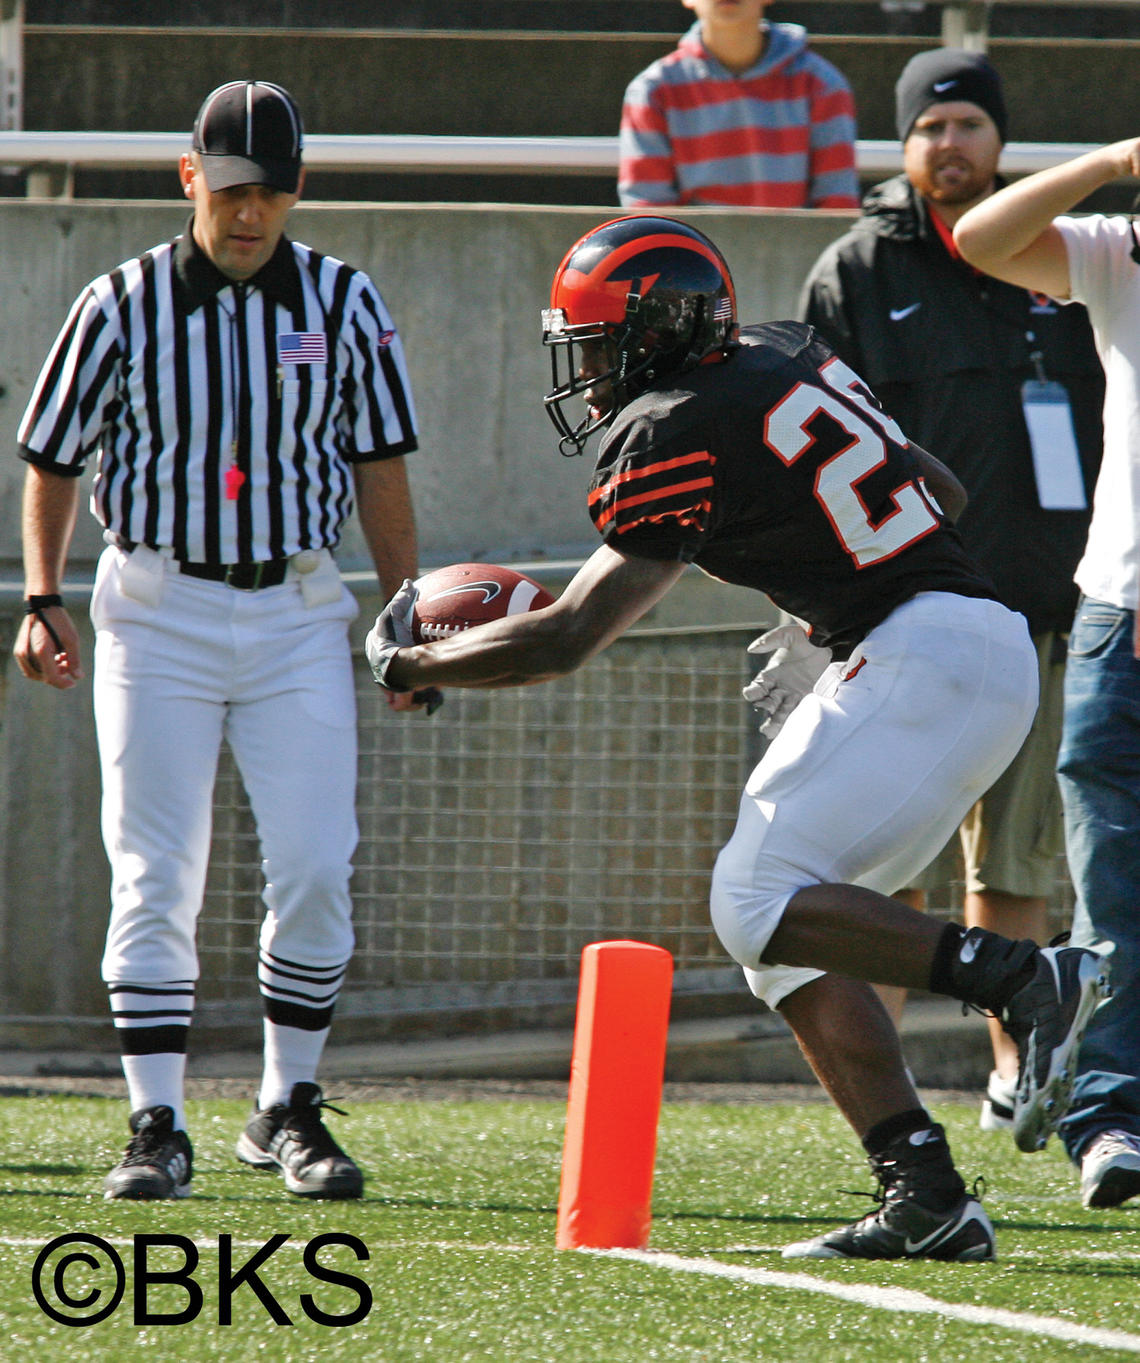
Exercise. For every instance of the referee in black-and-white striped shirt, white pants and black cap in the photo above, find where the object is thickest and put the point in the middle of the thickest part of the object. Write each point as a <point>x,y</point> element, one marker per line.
<point>238,392</point>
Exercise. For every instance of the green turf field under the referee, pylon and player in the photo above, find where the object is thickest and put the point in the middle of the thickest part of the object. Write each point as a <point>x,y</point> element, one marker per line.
<point>459,1223</point>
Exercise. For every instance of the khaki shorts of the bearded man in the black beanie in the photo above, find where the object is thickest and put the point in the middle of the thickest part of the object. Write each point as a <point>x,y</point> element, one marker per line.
<point>1012,838</point>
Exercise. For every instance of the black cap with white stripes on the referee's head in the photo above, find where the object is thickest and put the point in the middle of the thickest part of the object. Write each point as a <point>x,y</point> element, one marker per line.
<point>250,133</point>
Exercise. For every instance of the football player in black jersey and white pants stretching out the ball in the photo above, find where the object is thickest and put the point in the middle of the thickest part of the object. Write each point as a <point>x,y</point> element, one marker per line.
<point>764,460</point>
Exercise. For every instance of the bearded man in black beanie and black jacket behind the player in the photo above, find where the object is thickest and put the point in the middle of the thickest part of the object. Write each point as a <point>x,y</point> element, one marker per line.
<point>954,356</point>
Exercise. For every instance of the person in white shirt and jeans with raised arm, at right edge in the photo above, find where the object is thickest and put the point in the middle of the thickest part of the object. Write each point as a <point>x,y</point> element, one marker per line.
<point>1025,235</point>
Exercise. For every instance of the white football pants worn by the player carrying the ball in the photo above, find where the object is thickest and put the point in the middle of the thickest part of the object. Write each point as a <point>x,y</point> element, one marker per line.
<point>876,769</point>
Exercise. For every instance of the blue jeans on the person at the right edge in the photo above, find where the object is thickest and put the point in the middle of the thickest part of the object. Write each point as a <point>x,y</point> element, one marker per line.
<point>1100,774</point>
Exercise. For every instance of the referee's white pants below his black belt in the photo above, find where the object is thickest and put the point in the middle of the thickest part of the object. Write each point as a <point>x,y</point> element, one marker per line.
<point>271,675</point>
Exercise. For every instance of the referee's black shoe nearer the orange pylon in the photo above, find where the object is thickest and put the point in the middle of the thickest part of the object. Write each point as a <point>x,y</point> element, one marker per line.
<point>294,1139</point>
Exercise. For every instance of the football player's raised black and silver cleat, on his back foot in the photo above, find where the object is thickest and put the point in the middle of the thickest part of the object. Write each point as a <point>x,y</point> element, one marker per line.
<point>1048,1019</point>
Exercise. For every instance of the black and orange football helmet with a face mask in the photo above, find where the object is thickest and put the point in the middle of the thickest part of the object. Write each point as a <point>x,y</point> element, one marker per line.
<point>655,295</point>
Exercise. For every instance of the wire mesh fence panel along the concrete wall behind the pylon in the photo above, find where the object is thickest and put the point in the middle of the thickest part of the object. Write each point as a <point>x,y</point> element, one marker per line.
<point>512,829</point>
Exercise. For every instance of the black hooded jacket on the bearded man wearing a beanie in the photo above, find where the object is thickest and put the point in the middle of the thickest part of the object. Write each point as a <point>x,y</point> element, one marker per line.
<point>947,351</point>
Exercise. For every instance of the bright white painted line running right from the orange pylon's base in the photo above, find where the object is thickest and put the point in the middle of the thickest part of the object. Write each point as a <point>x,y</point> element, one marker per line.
<point>888,1300</point>
